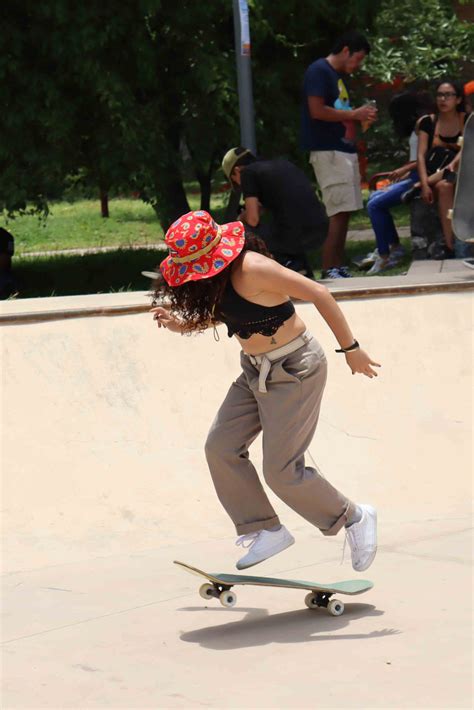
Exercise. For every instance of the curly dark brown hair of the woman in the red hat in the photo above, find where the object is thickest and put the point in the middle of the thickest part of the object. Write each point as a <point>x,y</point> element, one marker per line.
<point>197,302</point>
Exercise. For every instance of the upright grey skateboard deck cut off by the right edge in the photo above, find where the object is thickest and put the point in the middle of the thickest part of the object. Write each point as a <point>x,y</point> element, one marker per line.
<point>463,207</point>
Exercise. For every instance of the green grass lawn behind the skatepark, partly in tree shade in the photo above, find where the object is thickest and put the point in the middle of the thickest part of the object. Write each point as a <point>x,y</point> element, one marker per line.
<point>131,223</point>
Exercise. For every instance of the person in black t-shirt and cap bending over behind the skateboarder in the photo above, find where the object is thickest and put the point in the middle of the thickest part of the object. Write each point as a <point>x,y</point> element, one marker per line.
<point>298,219</point>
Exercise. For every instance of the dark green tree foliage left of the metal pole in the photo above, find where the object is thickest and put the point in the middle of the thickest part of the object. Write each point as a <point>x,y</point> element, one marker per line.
<point>112,92</point>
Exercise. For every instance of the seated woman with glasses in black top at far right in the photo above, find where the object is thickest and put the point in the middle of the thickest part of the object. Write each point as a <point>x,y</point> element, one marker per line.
<point>439,152</point>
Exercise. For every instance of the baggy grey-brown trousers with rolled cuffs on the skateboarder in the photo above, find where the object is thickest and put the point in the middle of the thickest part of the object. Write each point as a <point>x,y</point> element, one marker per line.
<point>287,414</point>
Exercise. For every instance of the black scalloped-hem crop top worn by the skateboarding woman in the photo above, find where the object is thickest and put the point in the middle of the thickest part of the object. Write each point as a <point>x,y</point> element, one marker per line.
<point>246,318</point>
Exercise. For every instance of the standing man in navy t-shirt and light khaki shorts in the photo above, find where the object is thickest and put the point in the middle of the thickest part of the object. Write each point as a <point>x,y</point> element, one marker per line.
<point>328,133</point>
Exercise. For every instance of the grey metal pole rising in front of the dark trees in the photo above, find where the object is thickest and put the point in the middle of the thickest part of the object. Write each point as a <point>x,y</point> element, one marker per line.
<point>244,75</point>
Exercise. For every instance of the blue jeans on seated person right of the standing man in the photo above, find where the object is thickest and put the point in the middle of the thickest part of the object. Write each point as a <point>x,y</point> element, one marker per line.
<point>379,206</point>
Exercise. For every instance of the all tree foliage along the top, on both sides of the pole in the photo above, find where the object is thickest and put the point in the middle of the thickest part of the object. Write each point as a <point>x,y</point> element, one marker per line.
<point>137,95</point>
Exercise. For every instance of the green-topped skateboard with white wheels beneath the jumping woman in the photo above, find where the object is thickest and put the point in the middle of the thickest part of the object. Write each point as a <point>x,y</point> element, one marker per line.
<point>219,586</point>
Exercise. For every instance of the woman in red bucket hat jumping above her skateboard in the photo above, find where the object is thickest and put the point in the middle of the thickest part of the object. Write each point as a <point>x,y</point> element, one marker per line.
<point>223,274</point>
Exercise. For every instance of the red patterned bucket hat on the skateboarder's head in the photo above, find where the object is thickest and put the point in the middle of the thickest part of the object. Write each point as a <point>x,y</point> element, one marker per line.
<point>200,248</point>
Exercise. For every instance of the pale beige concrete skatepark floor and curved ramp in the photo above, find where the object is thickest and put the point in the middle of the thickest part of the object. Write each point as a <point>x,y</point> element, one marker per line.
<point>104,484</point>
